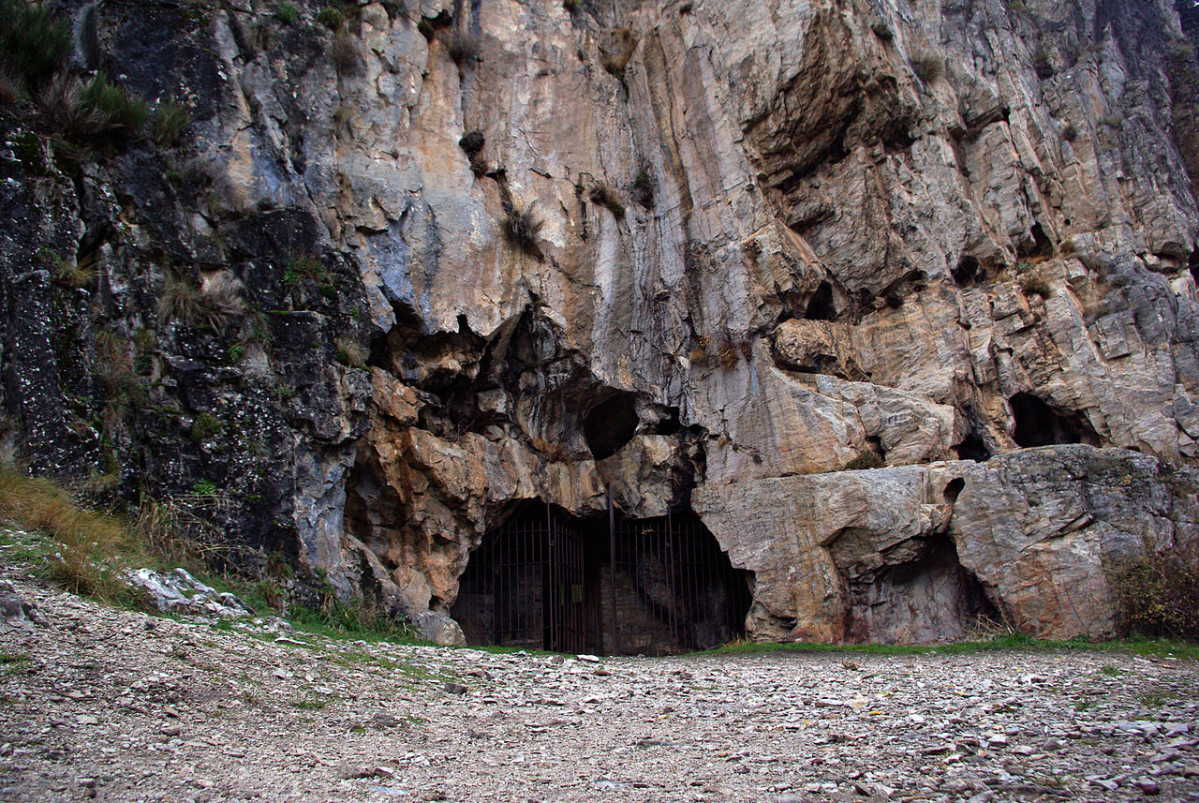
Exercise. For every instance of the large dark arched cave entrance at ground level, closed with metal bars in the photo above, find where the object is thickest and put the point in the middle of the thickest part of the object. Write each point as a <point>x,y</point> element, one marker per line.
<point>608,585</point>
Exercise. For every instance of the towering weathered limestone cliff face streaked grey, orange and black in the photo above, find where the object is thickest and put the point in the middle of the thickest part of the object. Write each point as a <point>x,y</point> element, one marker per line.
<point>767,240</point>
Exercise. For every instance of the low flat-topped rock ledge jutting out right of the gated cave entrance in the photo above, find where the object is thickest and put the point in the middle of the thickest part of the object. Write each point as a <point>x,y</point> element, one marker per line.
<point>919,553</point>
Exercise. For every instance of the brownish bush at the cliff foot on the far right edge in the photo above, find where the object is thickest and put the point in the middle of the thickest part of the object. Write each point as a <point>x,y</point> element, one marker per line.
<point>1155,594</point>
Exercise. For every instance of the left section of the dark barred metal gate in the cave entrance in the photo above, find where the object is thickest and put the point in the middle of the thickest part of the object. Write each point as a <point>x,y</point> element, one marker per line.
<point>531,590</point>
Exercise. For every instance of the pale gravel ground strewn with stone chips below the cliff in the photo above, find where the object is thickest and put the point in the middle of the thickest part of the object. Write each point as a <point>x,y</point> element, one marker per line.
<point>113,705</point>
